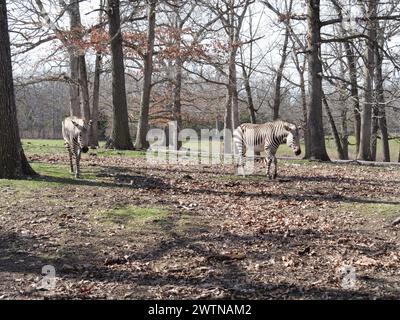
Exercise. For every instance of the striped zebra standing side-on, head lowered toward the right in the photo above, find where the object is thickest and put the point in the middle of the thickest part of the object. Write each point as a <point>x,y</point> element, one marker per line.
<point>266,137</point>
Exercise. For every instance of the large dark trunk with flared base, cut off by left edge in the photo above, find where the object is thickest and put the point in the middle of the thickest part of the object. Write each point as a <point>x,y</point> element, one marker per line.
<point>13,163</point>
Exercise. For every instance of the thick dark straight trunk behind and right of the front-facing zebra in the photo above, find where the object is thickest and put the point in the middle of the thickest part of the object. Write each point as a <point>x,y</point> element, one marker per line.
<point>120,133</point>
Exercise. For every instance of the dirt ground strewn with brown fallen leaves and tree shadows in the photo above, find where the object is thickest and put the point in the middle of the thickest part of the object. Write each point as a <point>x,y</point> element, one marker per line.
<point>200,232</point>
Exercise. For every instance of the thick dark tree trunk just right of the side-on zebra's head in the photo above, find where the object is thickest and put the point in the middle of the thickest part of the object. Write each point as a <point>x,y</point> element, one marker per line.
<point>314,111</point>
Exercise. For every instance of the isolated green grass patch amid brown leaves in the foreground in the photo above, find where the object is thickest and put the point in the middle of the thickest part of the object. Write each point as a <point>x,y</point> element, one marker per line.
<point>134,216</point>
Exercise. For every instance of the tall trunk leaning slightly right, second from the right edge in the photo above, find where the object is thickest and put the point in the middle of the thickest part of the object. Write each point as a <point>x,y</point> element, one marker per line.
<point>366,115</point>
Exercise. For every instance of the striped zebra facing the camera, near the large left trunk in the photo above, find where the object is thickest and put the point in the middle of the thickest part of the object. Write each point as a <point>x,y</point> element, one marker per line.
<point>76,140</point>
